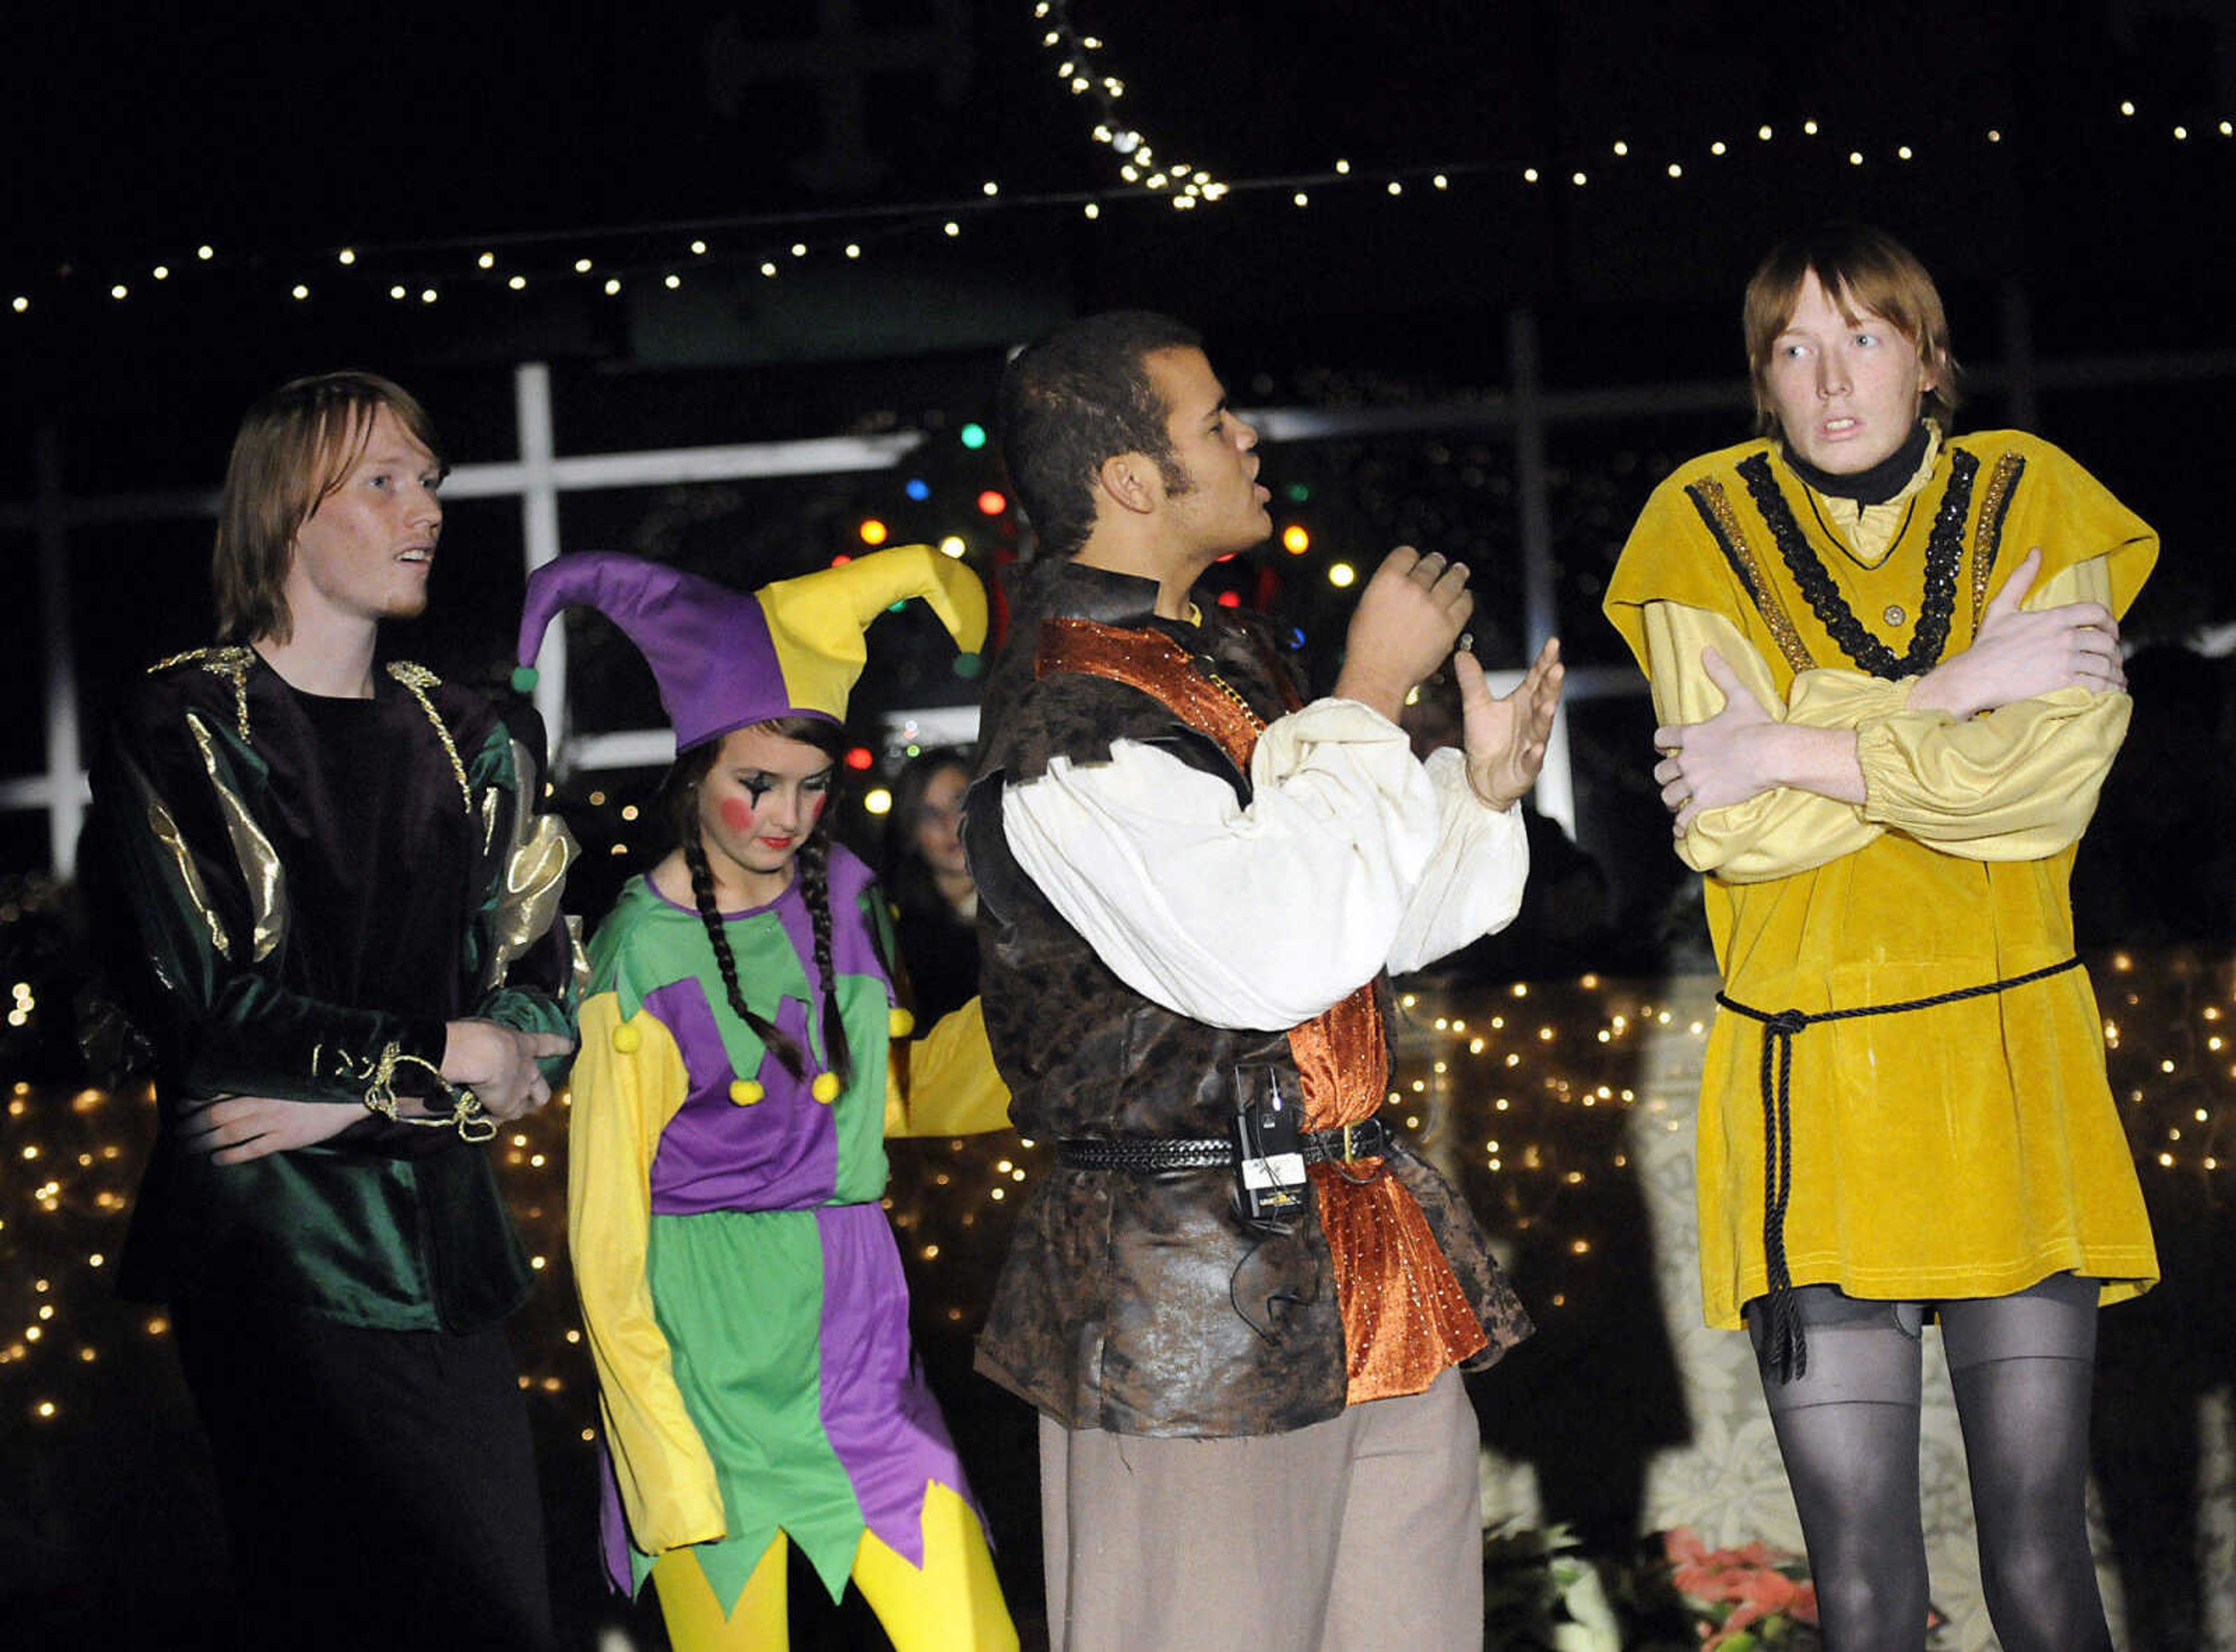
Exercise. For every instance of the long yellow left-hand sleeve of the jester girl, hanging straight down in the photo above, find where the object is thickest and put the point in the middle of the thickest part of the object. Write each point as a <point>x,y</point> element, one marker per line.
<point>629,1081</point>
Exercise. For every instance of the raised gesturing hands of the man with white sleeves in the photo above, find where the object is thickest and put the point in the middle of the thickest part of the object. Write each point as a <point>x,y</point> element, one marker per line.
<point>1408,625</point>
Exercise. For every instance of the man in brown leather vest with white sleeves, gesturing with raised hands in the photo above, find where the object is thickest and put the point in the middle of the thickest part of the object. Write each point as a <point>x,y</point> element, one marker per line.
<point>1191,889</point>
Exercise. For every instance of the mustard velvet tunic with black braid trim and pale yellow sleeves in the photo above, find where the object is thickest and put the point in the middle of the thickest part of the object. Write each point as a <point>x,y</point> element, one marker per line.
<point>1964,1150</point>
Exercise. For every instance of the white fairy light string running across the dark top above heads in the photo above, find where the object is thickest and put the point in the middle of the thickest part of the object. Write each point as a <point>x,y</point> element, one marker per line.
<point>672,256</point>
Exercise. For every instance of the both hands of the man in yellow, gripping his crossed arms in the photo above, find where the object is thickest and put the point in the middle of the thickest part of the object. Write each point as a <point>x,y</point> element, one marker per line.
<point>2016,656</point>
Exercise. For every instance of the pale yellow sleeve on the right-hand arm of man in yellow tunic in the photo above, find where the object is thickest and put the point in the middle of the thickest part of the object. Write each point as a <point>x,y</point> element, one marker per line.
<point>2009,786</point>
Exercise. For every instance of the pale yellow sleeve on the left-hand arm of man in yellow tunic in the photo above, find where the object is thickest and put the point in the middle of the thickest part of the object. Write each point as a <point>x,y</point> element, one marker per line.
<point>1777,833</point>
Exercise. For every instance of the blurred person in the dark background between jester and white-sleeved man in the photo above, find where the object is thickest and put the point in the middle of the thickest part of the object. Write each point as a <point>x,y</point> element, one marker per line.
<point>929,877</point>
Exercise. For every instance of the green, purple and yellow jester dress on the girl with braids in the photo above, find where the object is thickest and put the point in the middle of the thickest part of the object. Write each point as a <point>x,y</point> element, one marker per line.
<point>739,1275</point>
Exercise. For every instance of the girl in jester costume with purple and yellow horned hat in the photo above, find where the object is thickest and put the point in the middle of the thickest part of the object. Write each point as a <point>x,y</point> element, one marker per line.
<point>737,1271</point>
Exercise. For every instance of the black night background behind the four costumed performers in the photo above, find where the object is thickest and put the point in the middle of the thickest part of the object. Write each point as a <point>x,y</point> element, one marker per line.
<point>424,137</point>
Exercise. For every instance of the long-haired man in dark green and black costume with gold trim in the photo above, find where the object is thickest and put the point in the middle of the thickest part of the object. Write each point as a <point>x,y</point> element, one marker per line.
<point>337,918</point>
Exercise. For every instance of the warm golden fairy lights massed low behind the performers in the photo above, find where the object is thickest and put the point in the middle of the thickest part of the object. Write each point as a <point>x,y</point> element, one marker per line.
<point>1531,1094</point>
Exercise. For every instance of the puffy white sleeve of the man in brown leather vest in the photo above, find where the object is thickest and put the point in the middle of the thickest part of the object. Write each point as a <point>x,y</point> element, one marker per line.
<point>1349,857</point>
